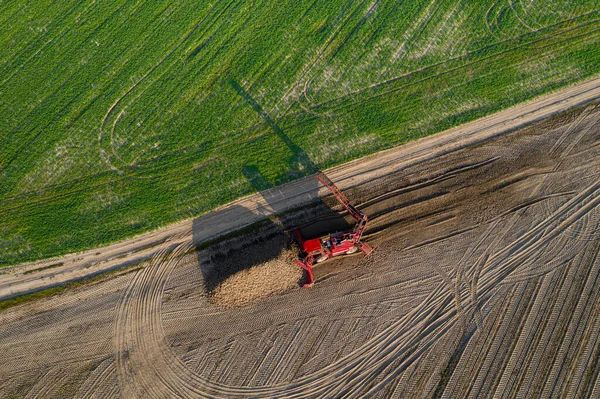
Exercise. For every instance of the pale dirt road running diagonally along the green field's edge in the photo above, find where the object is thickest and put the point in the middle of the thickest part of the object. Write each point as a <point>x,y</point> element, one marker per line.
<point>39,275</point>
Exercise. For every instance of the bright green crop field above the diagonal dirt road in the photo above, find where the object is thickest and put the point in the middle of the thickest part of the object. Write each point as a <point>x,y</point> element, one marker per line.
<point>117,117</point>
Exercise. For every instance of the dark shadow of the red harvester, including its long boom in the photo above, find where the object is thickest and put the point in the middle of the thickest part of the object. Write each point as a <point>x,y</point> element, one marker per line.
<point>268,237</point>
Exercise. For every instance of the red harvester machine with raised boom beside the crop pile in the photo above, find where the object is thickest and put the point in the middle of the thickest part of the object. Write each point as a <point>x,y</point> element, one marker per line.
<point>321,249</point>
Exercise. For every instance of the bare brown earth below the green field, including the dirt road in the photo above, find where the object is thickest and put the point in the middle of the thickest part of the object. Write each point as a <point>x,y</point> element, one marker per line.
<point>484,283</point>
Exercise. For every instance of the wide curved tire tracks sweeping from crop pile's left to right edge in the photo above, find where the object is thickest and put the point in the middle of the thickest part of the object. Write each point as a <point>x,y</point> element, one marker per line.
<point>374,358</point>
